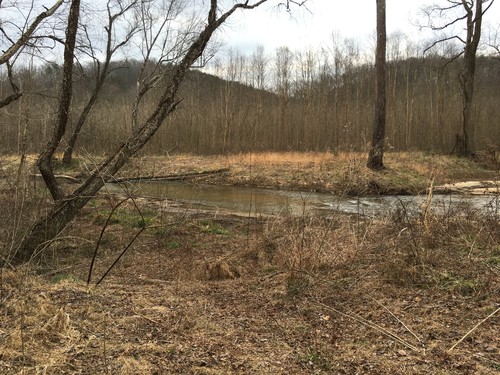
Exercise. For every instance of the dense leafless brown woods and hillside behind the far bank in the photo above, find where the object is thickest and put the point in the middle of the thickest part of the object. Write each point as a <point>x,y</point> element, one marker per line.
<point>298,102</point>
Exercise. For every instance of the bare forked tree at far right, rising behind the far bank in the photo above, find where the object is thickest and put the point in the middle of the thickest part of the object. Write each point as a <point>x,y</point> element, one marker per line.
<point>472,14</point>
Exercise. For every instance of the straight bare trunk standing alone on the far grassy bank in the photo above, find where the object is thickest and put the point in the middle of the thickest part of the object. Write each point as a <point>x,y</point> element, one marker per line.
<point>376,154</point>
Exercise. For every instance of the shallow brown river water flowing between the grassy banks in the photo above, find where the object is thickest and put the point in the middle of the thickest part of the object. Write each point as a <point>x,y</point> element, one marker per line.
<point>254,202</point>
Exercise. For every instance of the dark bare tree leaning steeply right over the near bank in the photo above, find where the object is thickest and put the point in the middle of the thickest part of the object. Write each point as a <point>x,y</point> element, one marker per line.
<point>66,207</point>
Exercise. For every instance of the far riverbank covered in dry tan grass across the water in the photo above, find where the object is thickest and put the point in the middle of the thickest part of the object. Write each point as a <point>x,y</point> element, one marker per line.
<point>342,174</point>
